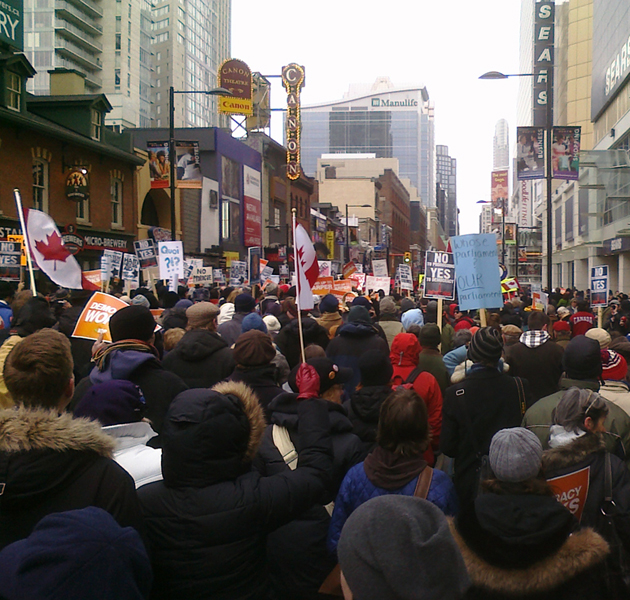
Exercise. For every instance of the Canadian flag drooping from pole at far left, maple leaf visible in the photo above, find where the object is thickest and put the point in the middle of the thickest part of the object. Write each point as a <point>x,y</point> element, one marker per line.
<point>50,255</point>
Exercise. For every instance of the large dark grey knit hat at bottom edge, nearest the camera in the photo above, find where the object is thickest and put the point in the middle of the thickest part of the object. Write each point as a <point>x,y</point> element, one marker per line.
<point>401,548</point>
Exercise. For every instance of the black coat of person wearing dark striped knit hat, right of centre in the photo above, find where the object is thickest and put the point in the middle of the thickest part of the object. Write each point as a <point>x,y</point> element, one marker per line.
<point>474,410</point>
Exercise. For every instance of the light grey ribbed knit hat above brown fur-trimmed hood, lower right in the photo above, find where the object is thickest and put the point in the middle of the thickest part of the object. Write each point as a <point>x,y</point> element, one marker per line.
<point>515,454</point>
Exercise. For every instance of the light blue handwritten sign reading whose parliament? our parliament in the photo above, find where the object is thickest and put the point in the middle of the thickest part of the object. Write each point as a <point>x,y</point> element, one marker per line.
<point>477,271</point>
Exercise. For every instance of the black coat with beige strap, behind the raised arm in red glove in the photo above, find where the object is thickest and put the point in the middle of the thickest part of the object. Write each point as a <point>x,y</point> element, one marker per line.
<point>298,560</point>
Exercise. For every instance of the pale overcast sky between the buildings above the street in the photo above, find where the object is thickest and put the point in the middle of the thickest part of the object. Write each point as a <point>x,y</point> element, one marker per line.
<point>442,44</point>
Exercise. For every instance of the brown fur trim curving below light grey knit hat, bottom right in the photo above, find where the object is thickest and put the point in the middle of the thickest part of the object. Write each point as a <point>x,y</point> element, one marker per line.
<point>582,550</point>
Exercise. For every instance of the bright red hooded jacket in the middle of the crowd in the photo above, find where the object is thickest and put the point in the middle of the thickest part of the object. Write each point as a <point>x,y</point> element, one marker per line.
<point>404,356</point>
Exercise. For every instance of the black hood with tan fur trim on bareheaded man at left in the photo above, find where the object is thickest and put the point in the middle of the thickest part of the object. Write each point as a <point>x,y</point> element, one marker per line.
<point>46,451</point>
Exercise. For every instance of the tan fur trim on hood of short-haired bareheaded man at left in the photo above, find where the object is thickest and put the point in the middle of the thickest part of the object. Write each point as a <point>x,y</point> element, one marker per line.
<point>23,429</point>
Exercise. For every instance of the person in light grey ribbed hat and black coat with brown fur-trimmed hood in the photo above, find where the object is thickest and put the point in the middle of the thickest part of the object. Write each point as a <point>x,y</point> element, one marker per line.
<point>518,541</point>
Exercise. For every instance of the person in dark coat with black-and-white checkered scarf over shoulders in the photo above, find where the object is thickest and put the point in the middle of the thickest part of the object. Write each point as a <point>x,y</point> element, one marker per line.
<point>536,357</point>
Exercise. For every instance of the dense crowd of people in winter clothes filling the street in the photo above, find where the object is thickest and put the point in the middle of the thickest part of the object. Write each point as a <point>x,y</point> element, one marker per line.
<point>412,455</point>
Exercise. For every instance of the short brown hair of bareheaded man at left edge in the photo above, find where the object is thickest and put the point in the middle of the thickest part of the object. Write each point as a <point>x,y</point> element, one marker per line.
<point>37,371</point>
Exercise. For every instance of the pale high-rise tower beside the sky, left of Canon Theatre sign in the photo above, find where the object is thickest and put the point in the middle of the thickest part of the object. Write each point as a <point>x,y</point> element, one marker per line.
<point>190,41</point>
